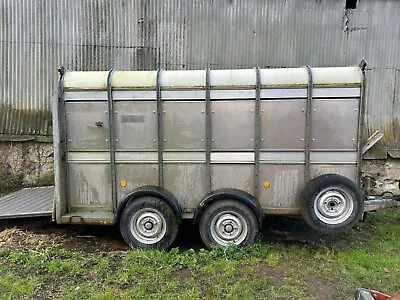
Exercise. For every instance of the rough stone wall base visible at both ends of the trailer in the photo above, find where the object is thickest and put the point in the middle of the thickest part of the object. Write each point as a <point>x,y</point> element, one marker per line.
<point>31,164</point>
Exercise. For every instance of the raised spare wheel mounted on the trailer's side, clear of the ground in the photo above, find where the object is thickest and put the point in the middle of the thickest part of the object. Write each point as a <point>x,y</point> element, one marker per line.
<point>332,203</point>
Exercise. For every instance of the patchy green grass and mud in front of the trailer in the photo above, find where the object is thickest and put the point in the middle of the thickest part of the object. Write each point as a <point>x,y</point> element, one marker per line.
<point>329,268</point>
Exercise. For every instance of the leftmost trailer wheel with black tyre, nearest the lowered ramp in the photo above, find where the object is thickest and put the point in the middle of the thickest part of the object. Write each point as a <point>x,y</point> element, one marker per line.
<point>148,223</point>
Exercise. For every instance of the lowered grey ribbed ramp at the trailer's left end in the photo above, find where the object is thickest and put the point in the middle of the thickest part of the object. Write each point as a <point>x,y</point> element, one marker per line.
<point>28,202</point>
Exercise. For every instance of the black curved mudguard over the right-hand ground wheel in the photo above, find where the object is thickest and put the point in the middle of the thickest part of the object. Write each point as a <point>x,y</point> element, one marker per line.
<point>233,194</point>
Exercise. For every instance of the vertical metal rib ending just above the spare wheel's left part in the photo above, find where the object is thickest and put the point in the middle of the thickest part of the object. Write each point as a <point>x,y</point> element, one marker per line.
<point>308,125</point>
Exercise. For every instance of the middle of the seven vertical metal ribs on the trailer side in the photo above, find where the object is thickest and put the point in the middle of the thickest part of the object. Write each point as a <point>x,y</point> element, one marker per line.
<point>208,131</point>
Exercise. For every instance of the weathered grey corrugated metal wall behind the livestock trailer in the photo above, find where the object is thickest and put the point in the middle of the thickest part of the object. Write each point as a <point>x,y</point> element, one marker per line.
<point>37,36</point>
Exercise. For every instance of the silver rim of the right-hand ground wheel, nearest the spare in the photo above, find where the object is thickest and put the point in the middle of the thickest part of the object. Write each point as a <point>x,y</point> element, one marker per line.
<point>228,227</point>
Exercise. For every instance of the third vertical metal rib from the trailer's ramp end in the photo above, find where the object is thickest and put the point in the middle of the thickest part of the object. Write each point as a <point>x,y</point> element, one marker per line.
<point>160,131</point>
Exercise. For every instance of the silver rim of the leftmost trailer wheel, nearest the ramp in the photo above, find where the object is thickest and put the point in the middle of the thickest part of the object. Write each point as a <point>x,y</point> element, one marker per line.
<point>148,226</point>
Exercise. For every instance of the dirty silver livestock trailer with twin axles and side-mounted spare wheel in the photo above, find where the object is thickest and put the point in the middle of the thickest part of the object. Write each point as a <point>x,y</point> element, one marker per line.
<point>146,149</point>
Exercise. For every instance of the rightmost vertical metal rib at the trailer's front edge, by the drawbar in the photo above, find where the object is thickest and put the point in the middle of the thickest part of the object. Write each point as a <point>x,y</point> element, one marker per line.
<point>361,121</point>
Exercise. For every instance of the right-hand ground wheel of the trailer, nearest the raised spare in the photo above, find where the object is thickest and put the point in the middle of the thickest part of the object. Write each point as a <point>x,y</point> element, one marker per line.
<point>228,222</point>
